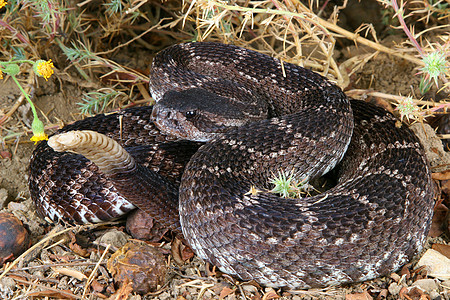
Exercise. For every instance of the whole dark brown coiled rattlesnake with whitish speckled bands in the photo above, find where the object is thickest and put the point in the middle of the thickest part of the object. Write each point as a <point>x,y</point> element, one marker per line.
<point>371,223</point>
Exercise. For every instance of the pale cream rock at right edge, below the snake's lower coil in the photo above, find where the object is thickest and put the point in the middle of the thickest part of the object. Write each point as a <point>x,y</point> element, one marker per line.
<point>437,264</point>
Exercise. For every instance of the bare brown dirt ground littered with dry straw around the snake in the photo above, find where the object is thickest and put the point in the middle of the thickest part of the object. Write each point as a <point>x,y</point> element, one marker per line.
<point>44,273</point>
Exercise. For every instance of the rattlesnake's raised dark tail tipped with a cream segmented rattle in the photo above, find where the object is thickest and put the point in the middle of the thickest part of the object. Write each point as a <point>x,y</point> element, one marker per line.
<point>155,192</point>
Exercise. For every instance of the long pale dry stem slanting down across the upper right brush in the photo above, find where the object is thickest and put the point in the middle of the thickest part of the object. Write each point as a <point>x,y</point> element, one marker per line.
<point>325,25</point>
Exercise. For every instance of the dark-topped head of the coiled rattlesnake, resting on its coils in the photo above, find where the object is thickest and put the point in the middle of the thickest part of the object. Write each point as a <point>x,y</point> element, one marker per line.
<point>197,114</point>
